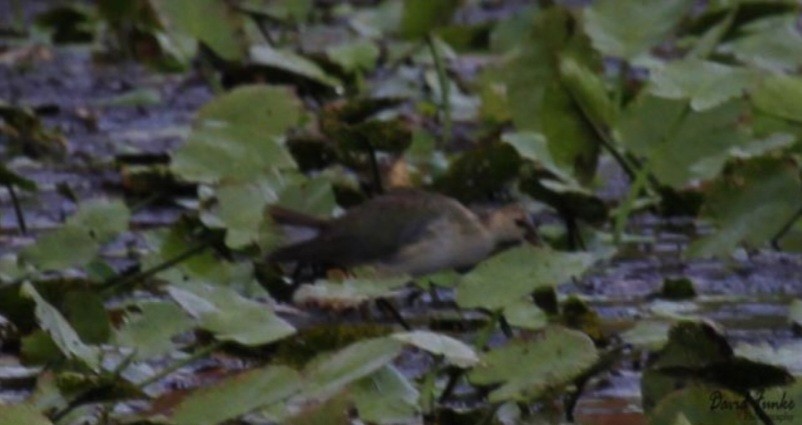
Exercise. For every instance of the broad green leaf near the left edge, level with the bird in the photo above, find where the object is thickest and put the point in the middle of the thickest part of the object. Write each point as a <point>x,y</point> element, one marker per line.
<point>95,223</point>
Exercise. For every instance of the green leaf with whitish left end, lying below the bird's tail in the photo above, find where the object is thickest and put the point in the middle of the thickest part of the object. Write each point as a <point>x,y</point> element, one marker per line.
<point>229,316</point>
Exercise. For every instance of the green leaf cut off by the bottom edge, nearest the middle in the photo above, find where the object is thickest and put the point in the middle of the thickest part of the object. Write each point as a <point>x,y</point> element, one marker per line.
<point>385,397</point>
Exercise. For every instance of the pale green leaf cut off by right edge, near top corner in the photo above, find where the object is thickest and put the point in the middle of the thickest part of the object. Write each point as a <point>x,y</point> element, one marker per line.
<point>772,43</point>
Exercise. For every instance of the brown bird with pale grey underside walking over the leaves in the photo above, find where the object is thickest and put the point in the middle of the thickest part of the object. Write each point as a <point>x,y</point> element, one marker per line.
<point>405,231</point>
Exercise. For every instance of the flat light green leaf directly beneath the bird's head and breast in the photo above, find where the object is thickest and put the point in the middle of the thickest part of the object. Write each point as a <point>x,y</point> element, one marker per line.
<point>517,272</point>
